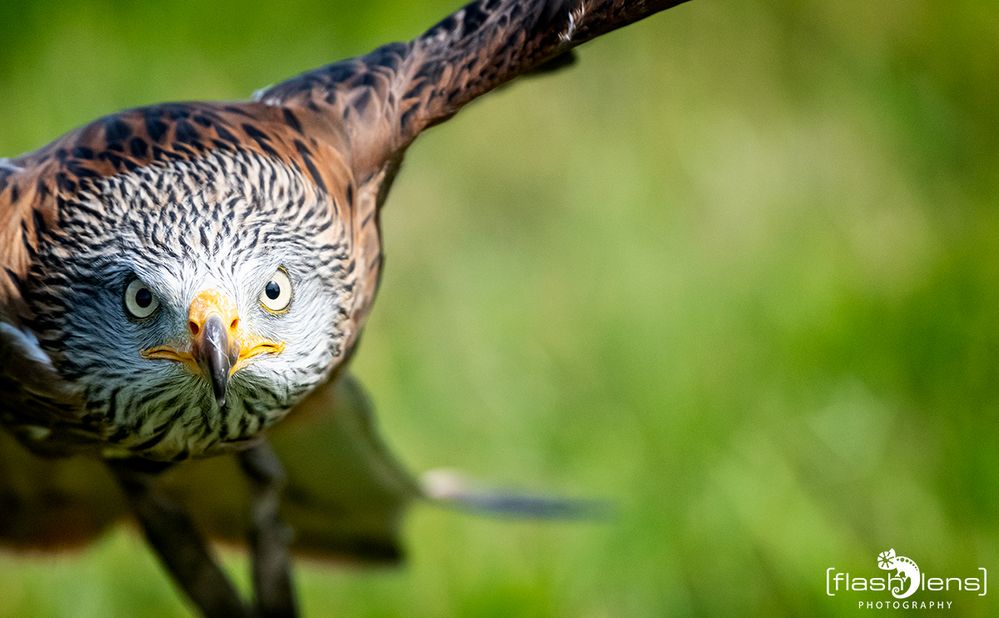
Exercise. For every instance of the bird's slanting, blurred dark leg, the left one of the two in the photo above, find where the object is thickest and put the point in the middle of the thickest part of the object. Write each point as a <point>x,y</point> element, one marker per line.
<point>180,546</point>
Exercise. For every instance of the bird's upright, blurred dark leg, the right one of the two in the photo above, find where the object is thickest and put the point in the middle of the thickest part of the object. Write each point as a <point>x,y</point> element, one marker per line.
<point>269,537</point>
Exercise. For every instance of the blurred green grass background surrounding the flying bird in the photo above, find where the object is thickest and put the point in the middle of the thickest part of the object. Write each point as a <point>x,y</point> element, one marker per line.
<point>735,272</point>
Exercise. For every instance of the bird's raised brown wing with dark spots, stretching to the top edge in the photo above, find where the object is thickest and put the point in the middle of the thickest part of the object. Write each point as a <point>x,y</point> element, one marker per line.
<point>385,99</point>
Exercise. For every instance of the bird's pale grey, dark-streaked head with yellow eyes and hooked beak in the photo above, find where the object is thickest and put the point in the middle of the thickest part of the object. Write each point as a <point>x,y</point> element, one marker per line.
<point>195,302</point>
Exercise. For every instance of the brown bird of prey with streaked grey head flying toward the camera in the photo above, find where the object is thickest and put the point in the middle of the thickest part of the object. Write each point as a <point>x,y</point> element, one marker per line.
<point>177,279</point>
